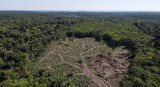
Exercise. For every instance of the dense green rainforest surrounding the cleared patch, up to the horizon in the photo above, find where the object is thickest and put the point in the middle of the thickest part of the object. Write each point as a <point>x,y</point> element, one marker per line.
<point>25,35</point>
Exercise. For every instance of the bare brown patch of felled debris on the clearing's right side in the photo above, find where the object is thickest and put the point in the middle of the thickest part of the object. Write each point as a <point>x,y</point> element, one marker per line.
<point>111,67</point>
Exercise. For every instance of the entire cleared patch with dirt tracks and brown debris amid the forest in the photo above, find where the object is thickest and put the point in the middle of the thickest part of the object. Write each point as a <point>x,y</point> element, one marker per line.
<point>85,61</point>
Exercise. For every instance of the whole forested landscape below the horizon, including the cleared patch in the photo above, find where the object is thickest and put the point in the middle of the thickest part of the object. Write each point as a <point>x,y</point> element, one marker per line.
<point>71,49</point>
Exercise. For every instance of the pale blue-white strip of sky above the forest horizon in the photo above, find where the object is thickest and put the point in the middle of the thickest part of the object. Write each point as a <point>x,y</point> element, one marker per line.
<point>81,5</point>
